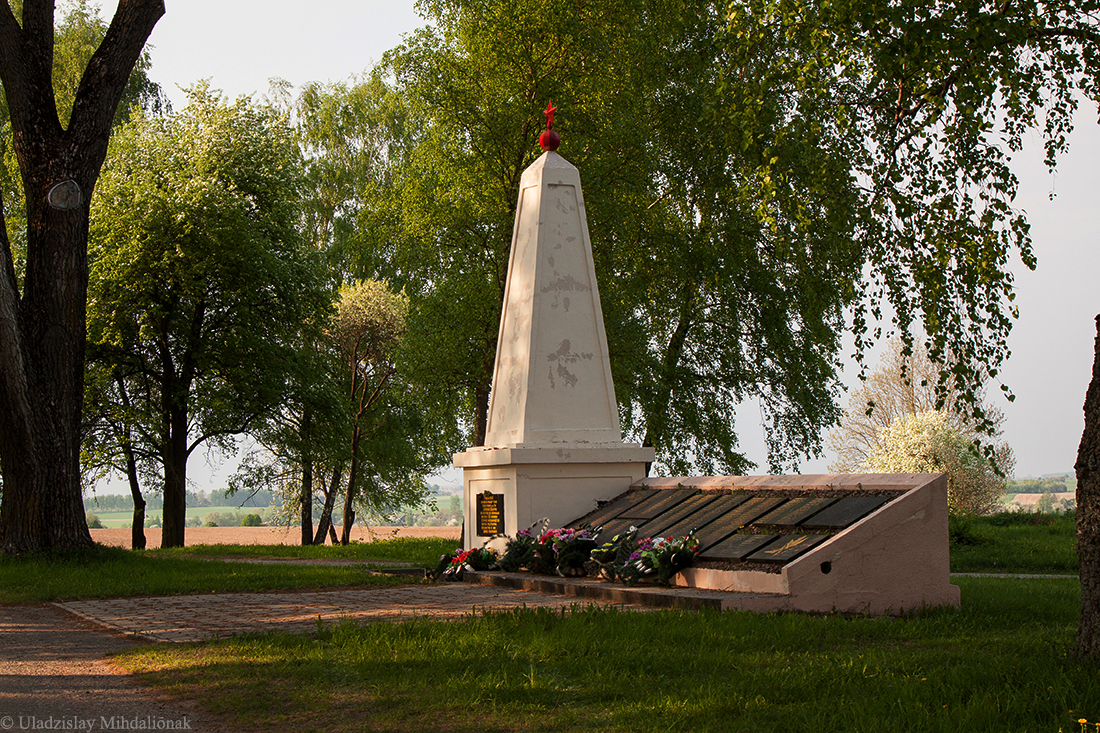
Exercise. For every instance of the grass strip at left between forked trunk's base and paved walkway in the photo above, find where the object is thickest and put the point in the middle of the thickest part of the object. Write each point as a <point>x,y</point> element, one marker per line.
<point>114,573</point>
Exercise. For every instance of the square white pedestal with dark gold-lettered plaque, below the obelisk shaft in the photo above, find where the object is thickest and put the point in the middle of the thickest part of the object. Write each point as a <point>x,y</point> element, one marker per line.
<point>526,484</point>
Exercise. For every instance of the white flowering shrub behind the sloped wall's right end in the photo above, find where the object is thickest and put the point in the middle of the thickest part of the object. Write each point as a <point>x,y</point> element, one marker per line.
<point>928,443</point>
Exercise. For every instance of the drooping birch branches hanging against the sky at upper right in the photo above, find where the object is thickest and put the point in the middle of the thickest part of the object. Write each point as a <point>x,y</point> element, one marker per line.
<point>930,101</point>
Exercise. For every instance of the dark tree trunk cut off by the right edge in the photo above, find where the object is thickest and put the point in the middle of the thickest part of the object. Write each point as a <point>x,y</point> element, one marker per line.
<point>1088,518</point>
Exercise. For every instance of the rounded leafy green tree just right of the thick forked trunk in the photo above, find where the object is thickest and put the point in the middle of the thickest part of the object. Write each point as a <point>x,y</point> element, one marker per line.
<point>201,291</point>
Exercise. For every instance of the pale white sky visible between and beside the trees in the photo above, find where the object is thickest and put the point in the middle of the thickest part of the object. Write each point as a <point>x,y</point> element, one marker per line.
<point>239,46</point>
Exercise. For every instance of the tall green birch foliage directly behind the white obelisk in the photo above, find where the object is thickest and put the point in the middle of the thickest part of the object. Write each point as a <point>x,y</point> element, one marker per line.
<point>723,277</point>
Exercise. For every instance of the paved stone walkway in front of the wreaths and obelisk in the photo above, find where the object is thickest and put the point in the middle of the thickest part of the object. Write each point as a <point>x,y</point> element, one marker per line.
<point>203,617</point>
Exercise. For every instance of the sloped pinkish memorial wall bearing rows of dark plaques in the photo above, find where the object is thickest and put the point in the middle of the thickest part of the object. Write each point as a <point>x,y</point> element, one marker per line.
<point>853,543</point>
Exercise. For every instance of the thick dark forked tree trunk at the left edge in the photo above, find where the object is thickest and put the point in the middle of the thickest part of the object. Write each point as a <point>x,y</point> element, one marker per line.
<point>42,330</point>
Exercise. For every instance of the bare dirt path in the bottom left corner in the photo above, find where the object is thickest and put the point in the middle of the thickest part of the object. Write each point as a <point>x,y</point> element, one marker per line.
<point>54,676</point>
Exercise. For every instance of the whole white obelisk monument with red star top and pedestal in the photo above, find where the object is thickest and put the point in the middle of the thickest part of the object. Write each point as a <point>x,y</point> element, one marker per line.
<point>554,446</point>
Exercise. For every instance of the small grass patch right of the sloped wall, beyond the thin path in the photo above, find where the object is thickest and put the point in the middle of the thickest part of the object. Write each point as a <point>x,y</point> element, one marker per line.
<point>1015,543</point>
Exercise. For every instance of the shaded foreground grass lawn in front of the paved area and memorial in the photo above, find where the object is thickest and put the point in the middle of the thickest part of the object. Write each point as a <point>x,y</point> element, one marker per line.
<point>999,664</point>
